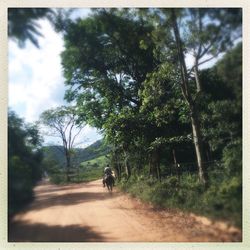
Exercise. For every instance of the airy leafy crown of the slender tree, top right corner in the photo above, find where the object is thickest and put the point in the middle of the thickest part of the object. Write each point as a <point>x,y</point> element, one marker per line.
<point>206,26</point>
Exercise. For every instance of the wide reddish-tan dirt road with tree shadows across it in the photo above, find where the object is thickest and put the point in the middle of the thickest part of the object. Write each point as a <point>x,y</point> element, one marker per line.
<point>87,212</point>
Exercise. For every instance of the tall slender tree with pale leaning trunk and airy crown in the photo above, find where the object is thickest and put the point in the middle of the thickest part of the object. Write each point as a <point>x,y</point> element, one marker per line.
<point>202,33</point>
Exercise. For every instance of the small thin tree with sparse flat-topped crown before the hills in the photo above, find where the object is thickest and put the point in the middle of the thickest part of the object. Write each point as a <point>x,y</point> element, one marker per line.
<point>63,123</point>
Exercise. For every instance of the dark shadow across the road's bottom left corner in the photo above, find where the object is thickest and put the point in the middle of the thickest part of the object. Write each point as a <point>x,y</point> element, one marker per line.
<point>26,232</point>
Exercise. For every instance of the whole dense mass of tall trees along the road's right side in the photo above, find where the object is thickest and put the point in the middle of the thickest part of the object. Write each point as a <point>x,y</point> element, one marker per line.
<point>127,72</point>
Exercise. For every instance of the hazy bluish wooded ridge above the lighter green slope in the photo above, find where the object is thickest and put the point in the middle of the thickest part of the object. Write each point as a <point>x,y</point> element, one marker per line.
<point>93,151</point>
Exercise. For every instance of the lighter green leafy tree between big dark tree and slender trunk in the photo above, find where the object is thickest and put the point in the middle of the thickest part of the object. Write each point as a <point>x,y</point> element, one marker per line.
<point>166,113</point>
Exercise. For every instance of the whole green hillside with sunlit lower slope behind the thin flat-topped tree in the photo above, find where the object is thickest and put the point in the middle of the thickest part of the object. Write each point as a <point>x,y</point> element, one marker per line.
<point>87,164</point>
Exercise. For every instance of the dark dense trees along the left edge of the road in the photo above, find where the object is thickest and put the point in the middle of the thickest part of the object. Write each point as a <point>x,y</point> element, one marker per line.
<point>24,161</point>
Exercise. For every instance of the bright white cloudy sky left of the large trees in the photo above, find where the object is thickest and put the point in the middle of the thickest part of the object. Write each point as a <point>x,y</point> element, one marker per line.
<point>36,80</point>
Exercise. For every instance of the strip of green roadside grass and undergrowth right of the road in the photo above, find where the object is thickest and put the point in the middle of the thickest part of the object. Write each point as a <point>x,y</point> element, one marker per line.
<point>222,200</point>
